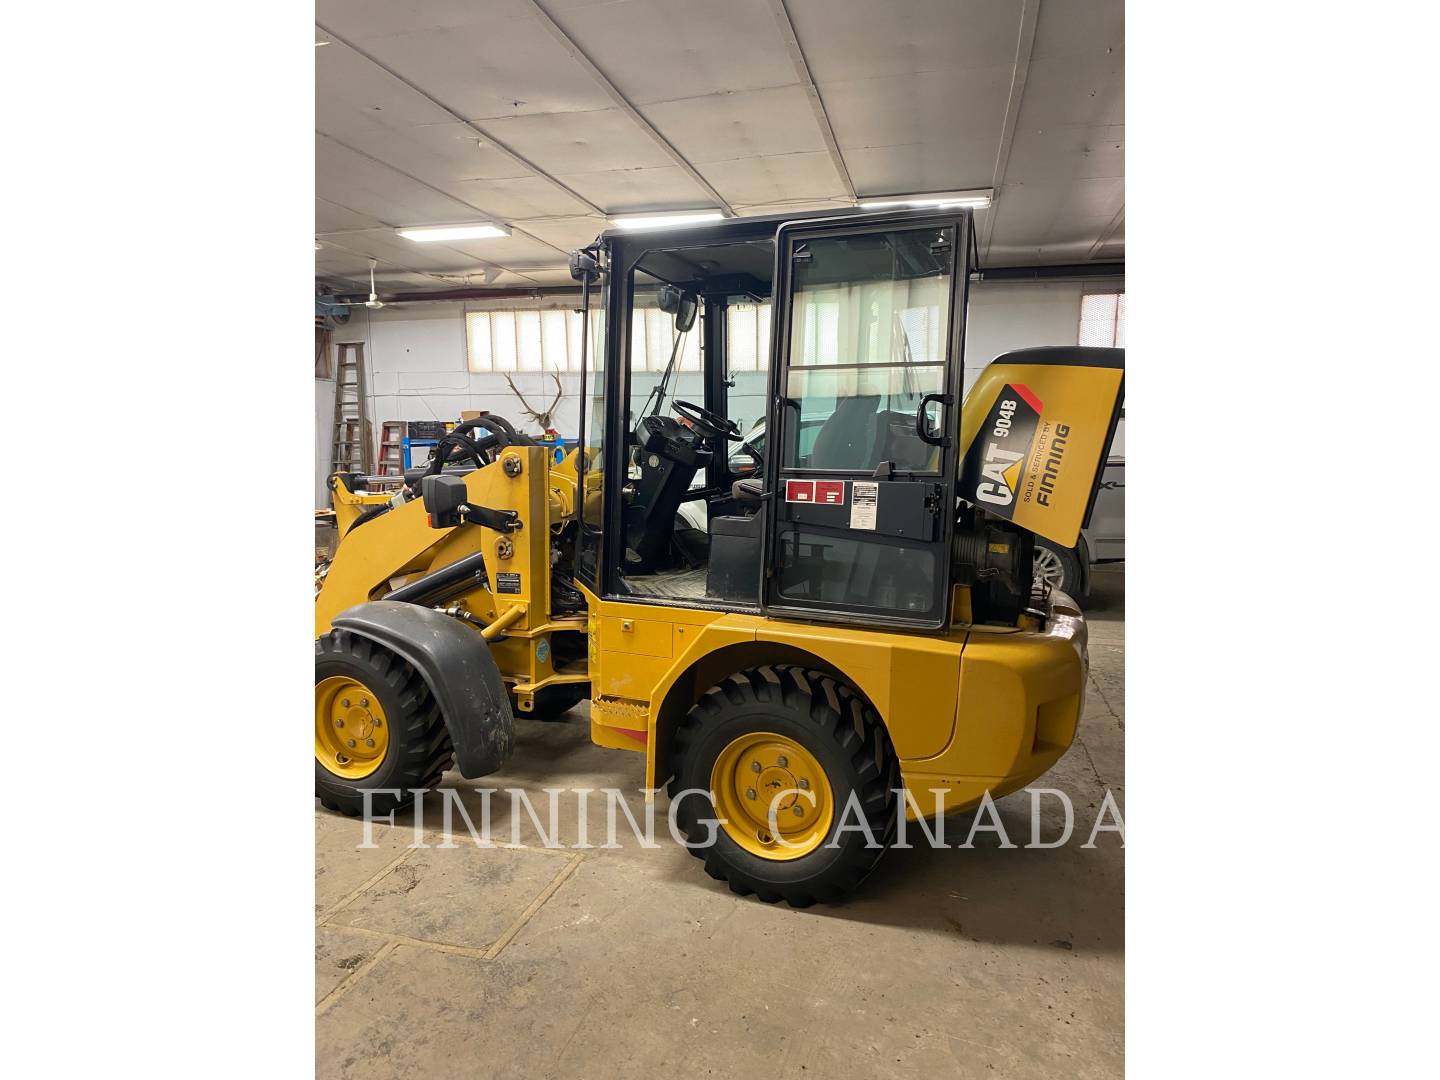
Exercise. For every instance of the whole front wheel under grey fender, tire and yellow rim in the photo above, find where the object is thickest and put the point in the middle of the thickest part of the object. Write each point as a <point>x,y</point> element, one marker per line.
<point>377,726</point>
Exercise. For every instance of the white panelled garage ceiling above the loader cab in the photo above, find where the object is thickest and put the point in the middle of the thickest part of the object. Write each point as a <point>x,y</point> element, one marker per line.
<point>917,94</point>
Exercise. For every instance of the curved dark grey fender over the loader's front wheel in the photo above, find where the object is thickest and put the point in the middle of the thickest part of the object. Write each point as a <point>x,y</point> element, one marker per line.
<point>459,669</point>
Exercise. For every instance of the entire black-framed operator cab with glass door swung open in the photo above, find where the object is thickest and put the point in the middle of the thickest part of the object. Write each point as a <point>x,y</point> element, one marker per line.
<point>689,493</point>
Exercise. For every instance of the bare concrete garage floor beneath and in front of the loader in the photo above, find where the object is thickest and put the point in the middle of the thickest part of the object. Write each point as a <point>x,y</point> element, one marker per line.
<point>525,963</point>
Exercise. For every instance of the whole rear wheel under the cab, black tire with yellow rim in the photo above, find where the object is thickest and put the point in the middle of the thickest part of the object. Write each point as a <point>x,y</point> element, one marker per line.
<point>771,731</point>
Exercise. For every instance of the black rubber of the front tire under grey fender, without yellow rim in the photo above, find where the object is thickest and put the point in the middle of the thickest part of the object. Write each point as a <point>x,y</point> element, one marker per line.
<point>420,751</point>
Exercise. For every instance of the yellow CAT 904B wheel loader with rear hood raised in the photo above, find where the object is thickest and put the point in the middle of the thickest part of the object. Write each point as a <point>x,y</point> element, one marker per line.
<point>855,634</point>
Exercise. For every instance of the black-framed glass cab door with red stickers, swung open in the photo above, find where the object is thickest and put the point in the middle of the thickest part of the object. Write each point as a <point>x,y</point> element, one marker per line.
<point>869,371</point>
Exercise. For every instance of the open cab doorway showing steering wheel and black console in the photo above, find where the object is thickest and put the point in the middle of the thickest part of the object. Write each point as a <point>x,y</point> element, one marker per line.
<point>695,387</point>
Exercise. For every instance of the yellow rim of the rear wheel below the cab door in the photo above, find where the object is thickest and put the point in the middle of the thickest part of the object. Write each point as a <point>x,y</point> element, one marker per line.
<point>760,770</point>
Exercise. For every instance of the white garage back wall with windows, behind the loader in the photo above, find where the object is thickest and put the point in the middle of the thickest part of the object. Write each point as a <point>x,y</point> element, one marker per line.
<point>418,369</point>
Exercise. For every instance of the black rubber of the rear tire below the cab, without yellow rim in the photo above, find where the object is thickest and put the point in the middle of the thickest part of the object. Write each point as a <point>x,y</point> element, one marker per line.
<point>845,735</point>
